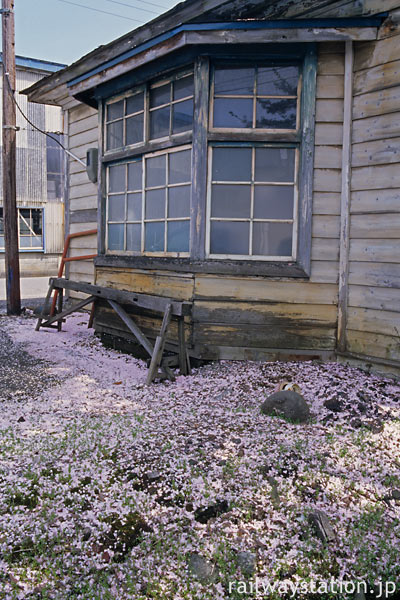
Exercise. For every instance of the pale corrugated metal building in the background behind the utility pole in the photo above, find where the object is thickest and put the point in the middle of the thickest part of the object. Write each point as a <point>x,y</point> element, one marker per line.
<point>39,177</point>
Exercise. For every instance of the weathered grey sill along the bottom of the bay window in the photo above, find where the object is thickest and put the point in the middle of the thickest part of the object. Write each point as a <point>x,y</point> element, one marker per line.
<point>209,266</point>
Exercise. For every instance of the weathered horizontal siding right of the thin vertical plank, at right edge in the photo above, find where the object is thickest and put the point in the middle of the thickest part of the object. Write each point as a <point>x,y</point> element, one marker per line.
<point>373,326</point>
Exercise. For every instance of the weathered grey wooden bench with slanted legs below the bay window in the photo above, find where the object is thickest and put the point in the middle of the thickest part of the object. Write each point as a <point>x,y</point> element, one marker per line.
<point>168,307</point>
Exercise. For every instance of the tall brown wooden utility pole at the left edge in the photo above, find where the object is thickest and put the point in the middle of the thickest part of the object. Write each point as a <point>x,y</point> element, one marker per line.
<point>10,212</point>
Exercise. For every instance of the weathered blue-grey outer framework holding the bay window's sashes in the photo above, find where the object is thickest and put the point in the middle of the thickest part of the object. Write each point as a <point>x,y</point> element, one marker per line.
<point>201,137</point>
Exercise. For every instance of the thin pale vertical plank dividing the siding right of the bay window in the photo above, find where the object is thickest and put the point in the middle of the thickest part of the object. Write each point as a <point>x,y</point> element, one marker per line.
<point>345,199</point>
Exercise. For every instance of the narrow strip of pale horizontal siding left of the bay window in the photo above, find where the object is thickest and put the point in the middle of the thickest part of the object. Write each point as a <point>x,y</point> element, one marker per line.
<point>83,134</point>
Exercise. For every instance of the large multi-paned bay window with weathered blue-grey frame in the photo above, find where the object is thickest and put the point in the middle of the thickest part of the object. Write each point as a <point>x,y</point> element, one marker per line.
<point>226,167</point>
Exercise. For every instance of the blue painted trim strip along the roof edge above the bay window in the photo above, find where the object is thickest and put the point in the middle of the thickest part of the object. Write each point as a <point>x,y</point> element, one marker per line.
<point>239,25</point>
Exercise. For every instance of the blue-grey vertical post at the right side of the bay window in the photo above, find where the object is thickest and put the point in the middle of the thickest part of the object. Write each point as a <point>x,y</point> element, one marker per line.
<point>306,175</point>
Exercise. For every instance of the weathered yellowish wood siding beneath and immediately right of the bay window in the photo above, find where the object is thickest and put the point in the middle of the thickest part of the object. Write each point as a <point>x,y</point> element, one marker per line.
<point>252,317</point>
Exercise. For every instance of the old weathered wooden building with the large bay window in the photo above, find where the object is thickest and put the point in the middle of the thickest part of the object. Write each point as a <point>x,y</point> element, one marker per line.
<point>248,163</point>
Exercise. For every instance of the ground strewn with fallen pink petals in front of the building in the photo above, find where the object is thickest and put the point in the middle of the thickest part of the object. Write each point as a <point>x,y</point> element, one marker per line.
<point>114,490</point>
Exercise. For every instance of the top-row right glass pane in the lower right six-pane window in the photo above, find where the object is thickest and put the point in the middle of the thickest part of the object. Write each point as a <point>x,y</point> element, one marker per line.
<point>275,164</point>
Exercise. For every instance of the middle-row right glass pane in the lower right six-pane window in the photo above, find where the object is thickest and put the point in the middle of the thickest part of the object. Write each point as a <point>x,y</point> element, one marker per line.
<point>273,202</point>
